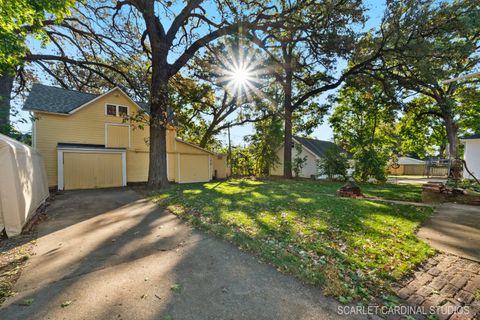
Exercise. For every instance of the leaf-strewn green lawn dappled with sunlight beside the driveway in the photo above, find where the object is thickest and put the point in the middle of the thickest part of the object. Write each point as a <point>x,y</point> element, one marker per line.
<point>352,248</point>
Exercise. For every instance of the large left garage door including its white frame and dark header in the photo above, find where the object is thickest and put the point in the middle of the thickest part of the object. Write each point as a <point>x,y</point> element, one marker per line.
<point>90,166</point>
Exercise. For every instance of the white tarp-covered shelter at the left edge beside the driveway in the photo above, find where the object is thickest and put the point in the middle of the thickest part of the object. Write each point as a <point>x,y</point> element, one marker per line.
<point>23,184</point>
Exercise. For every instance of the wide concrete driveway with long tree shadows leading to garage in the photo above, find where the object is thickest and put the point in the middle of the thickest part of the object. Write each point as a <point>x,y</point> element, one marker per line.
<point>114,255</point>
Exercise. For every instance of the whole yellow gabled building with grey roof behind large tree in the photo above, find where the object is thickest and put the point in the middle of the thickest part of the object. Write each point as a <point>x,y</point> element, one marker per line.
<point>86,142</point>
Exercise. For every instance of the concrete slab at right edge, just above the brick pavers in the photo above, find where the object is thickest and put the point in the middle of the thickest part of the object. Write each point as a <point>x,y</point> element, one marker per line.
<point>454,228</point>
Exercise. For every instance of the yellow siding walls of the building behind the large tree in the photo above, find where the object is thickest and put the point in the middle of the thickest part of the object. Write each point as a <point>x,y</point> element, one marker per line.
<point>90,125</point>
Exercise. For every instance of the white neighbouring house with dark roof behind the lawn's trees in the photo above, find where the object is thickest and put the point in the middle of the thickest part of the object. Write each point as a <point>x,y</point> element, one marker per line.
<point>312,149</point>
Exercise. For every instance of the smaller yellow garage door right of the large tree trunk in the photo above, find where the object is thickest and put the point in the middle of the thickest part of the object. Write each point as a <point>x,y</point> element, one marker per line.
<point>194,168</point>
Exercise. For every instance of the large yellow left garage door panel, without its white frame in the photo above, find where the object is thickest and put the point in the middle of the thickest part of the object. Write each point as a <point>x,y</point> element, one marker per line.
<point>92,170</point>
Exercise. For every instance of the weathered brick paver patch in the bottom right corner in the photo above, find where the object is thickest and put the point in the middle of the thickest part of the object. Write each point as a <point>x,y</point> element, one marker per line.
<point>445,282</point>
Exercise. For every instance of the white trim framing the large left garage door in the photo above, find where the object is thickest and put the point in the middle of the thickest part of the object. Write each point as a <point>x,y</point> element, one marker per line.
<point>60,162</point>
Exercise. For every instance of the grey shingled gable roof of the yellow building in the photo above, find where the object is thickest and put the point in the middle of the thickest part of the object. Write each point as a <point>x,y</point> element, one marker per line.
<point>52,99</point>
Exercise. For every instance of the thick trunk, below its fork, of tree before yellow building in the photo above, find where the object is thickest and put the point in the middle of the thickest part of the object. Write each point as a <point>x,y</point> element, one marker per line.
<point>157,171</point>
